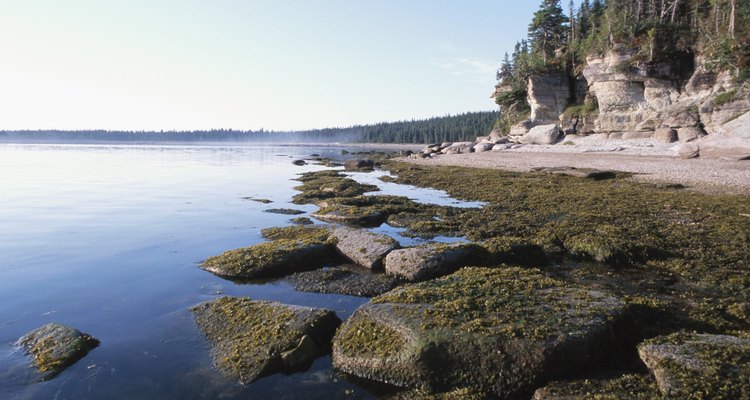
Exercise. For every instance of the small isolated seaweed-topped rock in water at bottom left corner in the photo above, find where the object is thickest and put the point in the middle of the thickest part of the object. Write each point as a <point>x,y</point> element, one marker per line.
<point>54,347</point>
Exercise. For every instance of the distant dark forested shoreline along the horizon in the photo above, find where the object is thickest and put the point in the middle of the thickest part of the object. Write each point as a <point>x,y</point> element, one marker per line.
<point>466,126</point>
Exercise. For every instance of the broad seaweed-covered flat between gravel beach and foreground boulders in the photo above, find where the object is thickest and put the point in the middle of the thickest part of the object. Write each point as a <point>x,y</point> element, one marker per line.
<point>699,241</point>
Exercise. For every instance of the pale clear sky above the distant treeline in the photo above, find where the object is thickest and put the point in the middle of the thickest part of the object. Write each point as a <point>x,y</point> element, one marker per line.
<point>249,64</point>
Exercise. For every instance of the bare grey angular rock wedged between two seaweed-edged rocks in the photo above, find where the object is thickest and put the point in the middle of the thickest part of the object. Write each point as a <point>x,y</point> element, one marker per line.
<point>366,248</point>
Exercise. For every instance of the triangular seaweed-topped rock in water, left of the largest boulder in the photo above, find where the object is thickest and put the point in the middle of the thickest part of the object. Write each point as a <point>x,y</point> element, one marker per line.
<point>252,339</point>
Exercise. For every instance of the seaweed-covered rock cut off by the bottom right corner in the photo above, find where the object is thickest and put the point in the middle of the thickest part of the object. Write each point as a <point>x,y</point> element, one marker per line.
<point>699,366</point>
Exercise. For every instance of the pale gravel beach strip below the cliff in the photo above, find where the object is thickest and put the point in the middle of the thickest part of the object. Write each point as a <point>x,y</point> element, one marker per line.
<point>648,160</point>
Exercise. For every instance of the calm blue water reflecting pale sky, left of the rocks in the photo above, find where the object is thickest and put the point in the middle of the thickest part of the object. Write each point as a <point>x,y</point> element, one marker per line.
<point>107,239</point>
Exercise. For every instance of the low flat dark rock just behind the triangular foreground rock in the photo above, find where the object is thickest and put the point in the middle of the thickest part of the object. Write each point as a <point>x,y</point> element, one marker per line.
<point>349,280</point>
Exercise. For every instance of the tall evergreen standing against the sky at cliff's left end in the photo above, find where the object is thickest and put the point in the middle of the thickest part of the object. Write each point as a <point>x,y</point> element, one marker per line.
<point>547,31</point>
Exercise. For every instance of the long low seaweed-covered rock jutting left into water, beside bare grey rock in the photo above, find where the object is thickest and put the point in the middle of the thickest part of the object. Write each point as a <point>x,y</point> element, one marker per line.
<point>307,248</point>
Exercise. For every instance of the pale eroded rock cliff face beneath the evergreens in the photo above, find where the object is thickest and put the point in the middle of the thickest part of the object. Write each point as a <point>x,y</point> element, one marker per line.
<point>679,100</point>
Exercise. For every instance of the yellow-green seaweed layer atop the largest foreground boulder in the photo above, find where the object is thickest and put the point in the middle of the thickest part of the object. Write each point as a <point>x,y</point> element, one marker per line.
<point>510,301</point>
